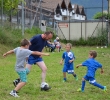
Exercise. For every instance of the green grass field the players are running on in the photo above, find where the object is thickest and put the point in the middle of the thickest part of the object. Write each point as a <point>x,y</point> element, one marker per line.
<point>59,90</point>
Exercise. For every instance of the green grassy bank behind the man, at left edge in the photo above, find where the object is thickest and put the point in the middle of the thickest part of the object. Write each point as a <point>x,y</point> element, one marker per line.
<point>12,37</point>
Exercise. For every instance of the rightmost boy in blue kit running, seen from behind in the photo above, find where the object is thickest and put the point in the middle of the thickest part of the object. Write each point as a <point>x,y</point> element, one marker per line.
<point>92,65</point>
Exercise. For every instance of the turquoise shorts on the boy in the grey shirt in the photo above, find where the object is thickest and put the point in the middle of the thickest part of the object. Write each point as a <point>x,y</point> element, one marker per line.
<point>23,75</point>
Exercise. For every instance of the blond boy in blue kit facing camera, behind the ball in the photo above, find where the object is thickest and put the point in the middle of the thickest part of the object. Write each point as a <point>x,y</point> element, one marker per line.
<point>69,57</point>
